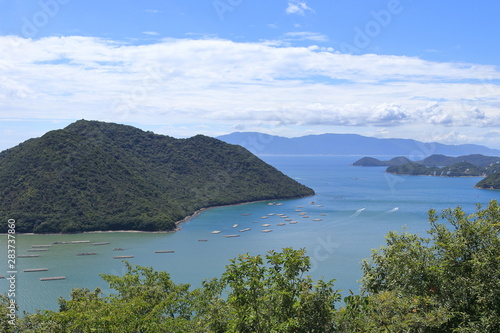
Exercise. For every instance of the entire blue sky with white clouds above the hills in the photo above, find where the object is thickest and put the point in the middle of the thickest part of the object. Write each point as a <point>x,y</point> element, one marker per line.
<point>419,69</point>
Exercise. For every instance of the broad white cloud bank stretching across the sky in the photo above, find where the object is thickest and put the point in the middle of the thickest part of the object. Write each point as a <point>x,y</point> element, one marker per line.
<point>184,82</point>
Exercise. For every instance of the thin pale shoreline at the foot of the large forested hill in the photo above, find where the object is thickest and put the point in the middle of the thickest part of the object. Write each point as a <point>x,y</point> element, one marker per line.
<point>177,223</point>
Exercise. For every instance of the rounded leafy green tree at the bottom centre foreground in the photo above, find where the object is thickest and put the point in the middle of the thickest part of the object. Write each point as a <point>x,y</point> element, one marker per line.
<point>270,297</point>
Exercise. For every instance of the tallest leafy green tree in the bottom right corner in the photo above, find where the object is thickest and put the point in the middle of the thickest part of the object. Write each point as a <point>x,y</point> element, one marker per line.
<point>458,268</point>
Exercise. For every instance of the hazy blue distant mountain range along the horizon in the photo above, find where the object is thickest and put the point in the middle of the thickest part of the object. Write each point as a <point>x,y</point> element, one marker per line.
<point>348,144</point>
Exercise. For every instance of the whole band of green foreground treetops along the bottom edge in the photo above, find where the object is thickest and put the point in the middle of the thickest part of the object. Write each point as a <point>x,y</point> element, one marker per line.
<point>446,282</point>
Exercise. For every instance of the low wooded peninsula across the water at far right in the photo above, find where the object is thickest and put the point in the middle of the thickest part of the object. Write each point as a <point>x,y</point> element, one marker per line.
<point>444,166</point>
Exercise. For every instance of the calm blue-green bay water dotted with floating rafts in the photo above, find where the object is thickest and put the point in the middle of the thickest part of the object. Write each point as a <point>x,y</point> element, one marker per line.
<point>355,207</point>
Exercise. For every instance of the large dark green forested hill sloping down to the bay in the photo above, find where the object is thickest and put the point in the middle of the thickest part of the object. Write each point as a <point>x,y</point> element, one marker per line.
<point>103,176</point>
